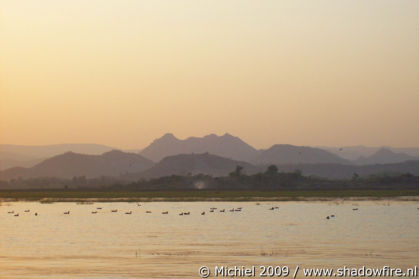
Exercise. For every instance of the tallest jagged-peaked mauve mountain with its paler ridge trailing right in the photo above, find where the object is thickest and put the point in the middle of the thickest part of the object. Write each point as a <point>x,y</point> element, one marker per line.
<point>234,148</point>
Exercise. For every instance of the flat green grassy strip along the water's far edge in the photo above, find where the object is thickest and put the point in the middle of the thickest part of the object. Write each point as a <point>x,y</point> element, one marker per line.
<point>203,195</point>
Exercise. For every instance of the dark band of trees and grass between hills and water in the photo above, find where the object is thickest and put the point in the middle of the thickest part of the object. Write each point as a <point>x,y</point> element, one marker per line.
<point>270,185</point>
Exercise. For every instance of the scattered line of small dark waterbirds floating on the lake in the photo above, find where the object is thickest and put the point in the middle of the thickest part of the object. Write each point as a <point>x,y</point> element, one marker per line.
<point>182,213</point>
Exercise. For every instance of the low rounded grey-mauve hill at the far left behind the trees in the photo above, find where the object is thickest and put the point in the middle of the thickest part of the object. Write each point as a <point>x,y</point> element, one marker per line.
<point>70,164</point>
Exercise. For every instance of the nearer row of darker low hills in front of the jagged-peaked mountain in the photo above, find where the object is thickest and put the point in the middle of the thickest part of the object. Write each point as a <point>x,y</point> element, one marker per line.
<point>131,167</point>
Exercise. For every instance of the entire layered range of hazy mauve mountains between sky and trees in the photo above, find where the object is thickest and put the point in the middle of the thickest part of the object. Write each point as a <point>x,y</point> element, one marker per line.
<point>211,154</point>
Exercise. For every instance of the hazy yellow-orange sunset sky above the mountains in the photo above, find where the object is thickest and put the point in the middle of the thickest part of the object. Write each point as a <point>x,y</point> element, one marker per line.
<point>122,72</point>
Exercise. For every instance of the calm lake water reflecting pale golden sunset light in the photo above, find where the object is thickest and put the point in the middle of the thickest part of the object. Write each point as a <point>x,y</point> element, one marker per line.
<point>156,245</point>
